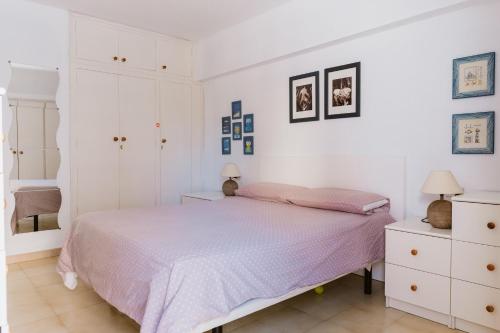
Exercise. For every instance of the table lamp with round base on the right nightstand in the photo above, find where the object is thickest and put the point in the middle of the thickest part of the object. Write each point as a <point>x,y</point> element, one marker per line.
<point>439,212</point>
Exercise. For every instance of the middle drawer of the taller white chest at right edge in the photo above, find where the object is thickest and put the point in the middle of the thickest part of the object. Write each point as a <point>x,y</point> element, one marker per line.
<point>476,263</point>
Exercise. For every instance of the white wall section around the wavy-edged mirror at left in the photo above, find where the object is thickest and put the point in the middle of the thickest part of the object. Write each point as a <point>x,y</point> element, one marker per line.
<point>36,35</point>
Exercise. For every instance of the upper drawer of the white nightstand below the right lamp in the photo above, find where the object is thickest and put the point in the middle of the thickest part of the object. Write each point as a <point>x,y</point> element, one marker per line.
<point>425,253</point>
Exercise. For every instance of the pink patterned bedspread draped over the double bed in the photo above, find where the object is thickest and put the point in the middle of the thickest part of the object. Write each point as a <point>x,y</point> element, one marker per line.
<point>171,268</point>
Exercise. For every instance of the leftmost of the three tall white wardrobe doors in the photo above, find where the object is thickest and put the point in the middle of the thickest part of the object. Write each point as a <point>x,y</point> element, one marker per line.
<point>96,125</point>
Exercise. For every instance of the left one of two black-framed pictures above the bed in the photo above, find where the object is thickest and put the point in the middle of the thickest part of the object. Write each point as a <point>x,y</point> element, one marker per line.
<point>314,104</point>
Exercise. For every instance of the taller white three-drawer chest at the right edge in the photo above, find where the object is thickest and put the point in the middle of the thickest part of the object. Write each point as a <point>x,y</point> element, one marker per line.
<point>475,269</point>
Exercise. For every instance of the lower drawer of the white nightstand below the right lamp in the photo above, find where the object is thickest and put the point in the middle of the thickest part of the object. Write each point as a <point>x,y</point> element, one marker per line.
<point>423,289</point>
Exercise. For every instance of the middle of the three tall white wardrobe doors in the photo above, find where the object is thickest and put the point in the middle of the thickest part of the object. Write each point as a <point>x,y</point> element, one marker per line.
<point>138,141</point>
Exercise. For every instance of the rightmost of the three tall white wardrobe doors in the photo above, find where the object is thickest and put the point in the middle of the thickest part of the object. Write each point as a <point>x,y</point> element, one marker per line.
<point>175,120</point>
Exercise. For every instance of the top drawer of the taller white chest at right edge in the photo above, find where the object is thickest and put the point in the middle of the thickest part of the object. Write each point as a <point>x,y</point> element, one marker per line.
<point>478,223</point>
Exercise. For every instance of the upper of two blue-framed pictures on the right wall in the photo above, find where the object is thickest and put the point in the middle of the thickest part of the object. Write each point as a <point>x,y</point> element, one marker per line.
<point>474,76</point>
